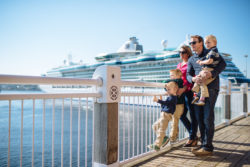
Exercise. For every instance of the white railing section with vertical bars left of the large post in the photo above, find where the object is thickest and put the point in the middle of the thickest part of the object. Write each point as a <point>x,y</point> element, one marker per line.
<point>81,98</point>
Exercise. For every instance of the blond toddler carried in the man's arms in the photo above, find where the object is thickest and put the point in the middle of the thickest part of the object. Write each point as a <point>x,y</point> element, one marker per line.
<point>208,64</point>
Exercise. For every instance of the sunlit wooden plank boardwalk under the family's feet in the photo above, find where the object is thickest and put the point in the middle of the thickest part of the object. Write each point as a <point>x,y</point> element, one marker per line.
<point>232,148</point>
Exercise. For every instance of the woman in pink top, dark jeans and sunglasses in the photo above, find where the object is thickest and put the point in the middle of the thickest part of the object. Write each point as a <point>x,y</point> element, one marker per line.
<point>185,53</point>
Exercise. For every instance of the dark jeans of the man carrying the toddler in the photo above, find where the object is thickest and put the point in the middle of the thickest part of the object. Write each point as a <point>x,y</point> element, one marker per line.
<point>205,117</point>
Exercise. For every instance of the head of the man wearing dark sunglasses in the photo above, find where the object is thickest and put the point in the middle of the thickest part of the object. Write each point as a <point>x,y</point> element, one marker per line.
<point>196,43</point>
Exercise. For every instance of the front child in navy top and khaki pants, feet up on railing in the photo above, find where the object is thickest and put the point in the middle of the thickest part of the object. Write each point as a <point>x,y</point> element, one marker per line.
<point>168,107</point>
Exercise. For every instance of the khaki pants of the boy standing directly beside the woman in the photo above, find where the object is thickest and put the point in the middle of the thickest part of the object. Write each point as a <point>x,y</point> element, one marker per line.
<point>175,121</point>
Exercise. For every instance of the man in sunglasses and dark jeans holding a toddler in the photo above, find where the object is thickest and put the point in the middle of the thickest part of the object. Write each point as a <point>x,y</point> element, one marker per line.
<point>204,114</point>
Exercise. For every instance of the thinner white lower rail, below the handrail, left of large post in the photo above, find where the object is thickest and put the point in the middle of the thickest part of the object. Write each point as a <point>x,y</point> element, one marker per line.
<point>47,96</point>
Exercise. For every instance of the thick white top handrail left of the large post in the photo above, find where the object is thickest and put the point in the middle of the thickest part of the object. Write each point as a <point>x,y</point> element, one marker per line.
<point>21,79</point>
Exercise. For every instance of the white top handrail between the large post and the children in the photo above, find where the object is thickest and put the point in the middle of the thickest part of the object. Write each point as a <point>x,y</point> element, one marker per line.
<point>142,84</point>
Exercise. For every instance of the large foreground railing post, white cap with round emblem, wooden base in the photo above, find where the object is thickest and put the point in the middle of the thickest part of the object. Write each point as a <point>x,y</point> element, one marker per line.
<point>106,117</point>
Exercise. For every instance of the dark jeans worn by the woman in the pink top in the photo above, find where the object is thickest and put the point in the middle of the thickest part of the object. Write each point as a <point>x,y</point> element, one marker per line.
<point>193,125</point>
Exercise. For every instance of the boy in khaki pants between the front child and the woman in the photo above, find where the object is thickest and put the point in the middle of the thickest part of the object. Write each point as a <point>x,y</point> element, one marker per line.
<point>175,75</point>
